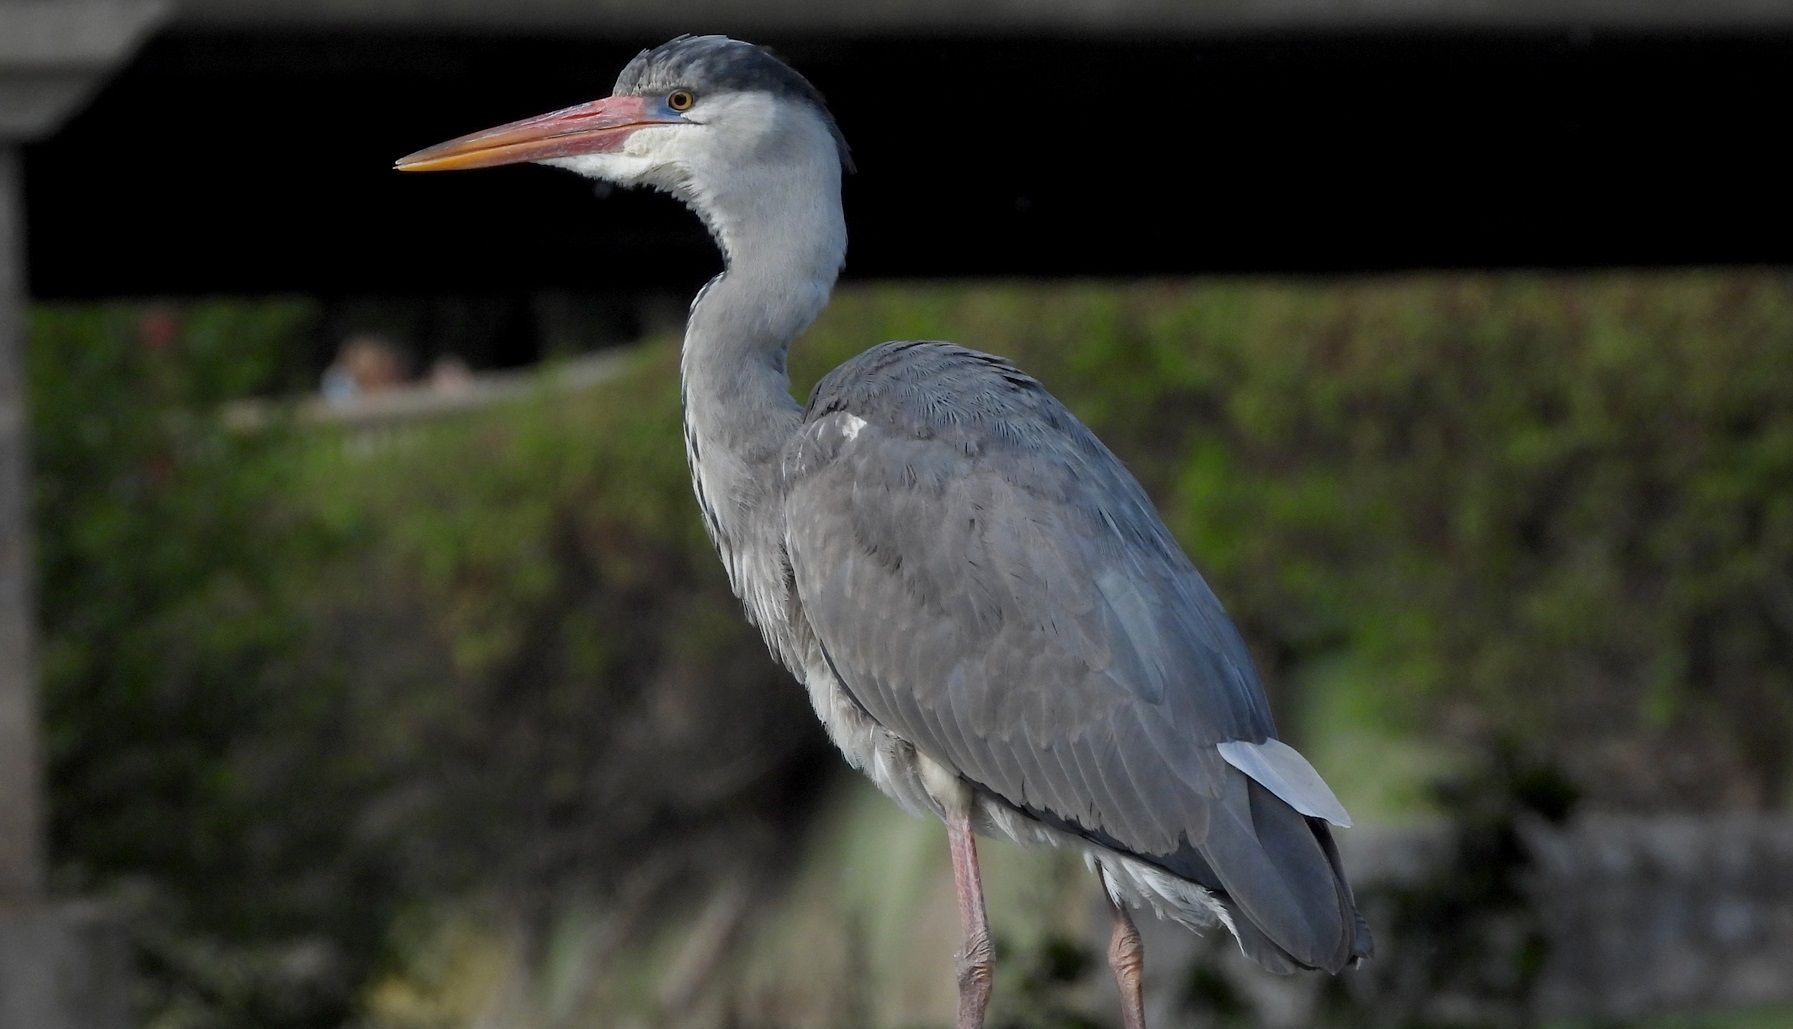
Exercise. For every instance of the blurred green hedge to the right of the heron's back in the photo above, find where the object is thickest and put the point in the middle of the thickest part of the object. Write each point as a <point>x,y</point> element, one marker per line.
<point>1523,505</point>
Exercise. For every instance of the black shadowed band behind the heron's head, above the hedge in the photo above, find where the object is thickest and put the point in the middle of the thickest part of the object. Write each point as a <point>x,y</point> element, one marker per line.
<point>256,164</point>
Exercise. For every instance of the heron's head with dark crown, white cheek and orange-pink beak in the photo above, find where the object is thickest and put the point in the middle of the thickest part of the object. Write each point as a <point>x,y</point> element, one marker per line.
<point>700,117</point>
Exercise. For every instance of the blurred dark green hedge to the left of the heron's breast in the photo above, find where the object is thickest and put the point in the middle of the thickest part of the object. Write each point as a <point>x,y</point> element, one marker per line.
<point>299,684</point>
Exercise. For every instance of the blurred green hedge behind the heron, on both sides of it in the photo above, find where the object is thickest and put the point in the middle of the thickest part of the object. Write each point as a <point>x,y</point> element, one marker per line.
<point>299,682</point>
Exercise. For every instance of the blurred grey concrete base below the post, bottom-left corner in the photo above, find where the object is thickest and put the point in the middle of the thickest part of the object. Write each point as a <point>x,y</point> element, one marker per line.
<point>64,967</point>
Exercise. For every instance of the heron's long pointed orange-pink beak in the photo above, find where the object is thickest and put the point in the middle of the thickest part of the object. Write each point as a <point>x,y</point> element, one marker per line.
<point>596,128</point>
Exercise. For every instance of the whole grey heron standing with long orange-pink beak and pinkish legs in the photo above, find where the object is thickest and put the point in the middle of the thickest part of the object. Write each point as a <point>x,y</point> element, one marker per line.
<point>989,614</point>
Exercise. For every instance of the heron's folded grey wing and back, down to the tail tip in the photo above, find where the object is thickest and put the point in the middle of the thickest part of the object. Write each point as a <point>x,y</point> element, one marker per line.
<point>994,587</point>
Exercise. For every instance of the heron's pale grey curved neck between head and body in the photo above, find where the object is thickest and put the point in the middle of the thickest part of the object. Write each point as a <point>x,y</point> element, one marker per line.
<point>783,241</point>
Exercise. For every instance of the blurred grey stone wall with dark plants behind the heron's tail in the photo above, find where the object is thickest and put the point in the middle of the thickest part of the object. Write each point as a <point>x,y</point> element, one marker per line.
<point>1609,919</point>
